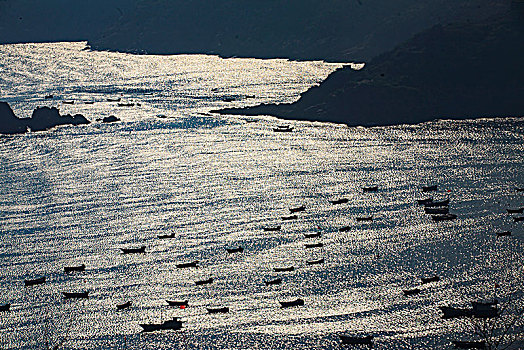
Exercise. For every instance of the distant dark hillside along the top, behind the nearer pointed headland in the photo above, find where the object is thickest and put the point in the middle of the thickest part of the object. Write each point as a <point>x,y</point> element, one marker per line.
<point>335,30</point>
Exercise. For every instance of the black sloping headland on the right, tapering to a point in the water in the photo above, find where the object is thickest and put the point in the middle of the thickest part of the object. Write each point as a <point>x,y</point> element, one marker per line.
<point>461,70</point>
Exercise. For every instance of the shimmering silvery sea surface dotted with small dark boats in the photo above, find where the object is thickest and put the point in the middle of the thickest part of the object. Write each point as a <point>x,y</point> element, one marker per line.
<point>76,195</point>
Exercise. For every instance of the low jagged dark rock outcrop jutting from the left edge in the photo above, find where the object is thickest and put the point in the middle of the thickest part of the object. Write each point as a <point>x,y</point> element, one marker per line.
<point>43,118</point>
